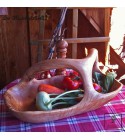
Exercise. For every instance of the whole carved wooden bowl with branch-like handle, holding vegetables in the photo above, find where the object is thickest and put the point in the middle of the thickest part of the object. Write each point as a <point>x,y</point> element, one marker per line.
<point>20,98</point>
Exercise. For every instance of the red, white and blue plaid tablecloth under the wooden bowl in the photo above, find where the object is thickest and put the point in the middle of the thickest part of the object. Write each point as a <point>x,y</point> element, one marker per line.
<point>108,118</point>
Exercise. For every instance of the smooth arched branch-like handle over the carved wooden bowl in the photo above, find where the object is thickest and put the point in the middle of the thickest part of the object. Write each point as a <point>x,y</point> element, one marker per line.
<point>83,66</point>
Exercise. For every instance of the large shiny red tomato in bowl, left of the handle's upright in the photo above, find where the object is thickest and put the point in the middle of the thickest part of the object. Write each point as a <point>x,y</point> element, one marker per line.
<point>70,84</point>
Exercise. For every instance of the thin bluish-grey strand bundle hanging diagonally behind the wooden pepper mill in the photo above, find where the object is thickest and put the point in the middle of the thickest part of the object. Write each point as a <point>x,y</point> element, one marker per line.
<point>57,33</point>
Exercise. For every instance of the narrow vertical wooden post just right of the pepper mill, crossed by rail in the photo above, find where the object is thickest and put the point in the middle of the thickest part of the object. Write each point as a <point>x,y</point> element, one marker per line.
<point>74,32</point>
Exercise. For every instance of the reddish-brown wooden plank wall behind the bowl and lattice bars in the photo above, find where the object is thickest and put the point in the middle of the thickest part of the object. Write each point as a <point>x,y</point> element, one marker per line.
<point>20,38</point>
